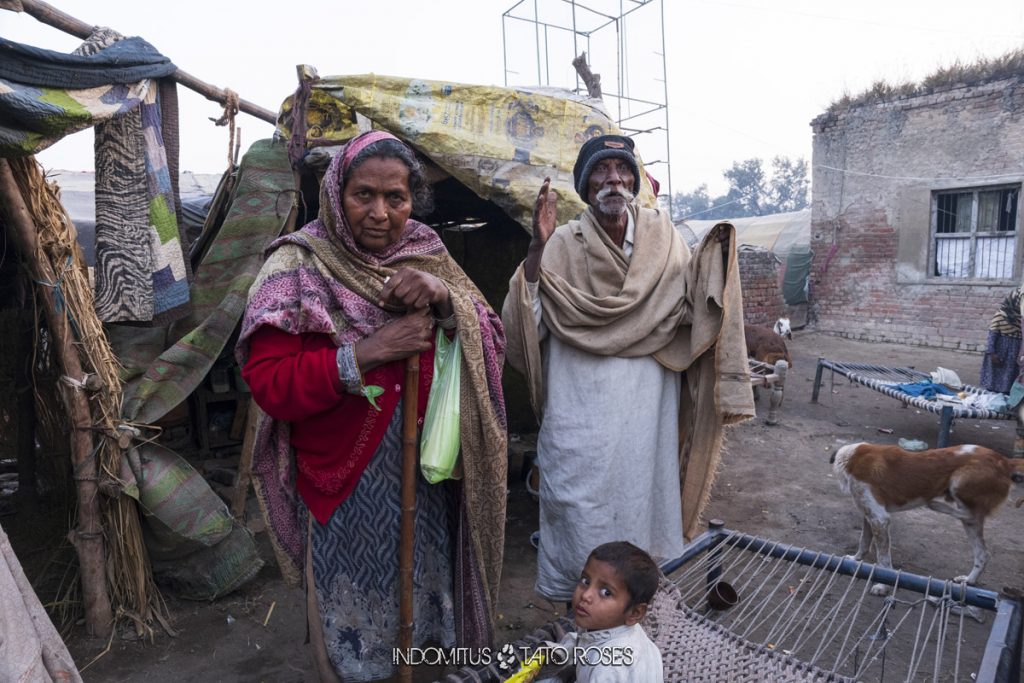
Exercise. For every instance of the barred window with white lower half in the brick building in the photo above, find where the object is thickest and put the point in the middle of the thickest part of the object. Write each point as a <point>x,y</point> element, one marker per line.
<point>975,233</point>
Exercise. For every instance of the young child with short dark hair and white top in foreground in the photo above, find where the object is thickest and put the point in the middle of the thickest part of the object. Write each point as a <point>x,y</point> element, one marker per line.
<point>611,600</point>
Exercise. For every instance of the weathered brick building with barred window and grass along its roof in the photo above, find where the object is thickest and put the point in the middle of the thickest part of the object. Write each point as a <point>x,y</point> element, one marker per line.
<point>915,223</point>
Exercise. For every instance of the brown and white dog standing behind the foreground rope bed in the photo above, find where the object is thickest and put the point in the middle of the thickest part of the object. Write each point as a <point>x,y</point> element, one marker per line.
<point>969,483</point>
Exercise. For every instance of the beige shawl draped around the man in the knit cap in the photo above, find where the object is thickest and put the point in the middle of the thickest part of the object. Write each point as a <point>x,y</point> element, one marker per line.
<point>686,311</point>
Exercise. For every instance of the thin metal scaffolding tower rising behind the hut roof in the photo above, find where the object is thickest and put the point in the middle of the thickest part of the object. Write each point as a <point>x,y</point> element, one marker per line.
<point>624,45</point>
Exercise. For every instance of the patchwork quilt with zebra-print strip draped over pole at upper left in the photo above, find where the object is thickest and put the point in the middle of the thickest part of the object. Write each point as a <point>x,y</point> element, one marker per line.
<point>142,275</point>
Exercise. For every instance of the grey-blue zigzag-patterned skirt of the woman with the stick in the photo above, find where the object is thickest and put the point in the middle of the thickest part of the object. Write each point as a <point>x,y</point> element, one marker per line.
<point>356,568</point>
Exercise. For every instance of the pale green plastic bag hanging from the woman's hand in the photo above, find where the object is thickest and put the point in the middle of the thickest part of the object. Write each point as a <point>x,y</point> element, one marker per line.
<point>440,443</point>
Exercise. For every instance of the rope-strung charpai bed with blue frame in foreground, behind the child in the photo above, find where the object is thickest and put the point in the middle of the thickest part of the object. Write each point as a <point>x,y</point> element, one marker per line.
<point>738,608</point>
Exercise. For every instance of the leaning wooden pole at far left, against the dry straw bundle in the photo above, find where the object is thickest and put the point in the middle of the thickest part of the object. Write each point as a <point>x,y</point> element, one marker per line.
<point>88,537</point>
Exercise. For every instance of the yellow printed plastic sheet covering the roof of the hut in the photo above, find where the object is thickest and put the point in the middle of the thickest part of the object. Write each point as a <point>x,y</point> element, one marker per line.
<point>500,143</point>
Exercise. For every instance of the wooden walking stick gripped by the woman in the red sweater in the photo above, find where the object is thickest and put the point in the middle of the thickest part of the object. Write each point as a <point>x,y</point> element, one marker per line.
<point>410,408</point>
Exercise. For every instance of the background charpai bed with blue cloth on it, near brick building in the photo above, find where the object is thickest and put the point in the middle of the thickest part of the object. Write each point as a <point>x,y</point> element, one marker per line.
<point>883,379</point>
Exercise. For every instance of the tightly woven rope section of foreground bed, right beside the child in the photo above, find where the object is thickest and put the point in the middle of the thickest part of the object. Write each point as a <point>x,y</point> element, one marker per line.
<point>696,649</point>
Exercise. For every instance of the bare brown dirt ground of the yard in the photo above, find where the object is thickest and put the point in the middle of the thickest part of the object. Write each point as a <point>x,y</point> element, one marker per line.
<point>775,482</point>
